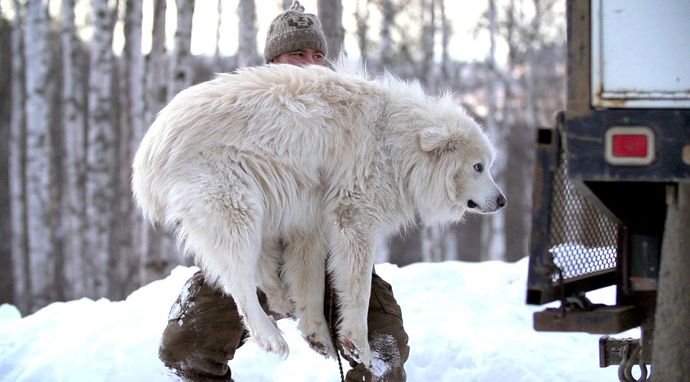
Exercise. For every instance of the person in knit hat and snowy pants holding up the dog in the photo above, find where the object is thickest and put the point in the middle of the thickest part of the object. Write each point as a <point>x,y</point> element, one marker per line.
<point>205,328</point>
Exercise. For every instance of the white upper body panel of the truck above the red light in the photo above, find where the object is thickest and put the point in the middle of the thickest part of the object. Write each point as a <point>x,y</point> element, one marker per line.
<point>631,64</point>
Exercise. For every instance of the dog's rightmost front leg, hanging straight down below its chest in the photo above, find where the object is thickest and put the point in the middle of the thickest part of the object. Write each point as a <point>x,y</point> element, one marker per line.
<point>351,263</point>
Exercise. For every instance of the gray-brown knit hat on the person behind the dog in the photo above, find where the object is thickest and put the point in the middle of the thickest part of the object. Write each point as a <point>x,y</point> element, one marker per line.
<point>294,30</point>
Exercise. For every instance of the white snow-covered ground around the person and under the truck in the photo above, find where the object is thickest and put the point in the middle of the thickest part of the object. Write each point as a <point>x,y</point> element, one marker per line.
<point>466,321</point>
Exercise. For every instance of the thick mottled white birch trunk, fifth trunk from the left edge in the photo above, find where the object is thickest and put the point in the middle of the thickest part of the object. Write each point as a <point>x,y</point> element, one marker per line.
<point>102,150</point>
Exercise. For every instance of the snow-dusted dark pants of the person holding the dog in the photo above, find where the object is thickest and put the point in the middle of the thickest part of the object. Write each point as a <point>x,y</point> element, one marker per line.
<point>205,329</point>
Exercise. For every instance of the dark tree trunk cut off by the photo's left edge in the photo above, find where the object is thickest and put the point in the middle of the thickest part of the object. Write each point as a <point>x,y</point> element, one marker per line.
<point>6,277</point>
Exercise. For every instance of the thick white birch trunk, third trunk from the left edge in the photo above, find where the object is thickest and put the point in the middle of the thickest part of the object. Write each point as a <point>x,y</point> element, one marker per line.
<point>41,197</point>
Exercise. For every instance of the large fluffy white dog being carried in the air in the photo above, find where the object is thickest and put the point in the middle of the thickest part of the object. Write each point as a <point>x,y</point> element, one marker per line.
<point>274,174</point>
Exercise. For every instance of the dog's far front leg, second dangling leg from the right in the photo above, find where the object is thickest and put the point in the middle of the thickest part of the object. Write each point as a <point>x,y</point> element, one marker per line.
<point>305,274</point>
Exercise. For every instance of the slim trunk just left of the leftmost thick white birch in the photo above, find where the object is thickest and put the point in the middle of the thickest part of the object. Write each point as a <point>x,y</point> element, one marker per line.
<point>20,240</point>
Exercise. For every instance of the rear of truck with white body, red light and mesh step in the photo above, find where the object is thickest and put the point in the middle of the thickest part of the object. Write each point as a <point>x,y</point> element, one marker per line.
<point>611,188</point>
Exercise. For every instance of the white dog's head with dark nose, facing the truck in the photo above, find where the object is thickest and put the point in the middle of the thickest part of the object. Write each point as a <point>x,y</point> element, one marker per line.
<point>459,158</point>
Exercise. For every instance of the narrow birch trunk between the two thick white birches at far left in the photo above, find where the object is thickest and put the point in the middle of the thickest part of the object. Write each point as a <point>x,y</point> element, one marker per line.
<point>74,125</point>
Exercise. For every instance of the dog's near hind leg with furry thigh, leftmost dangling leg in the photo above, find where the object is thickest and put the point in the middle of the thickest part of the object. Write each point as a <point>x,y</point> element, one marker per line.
<point>223,229</point>
